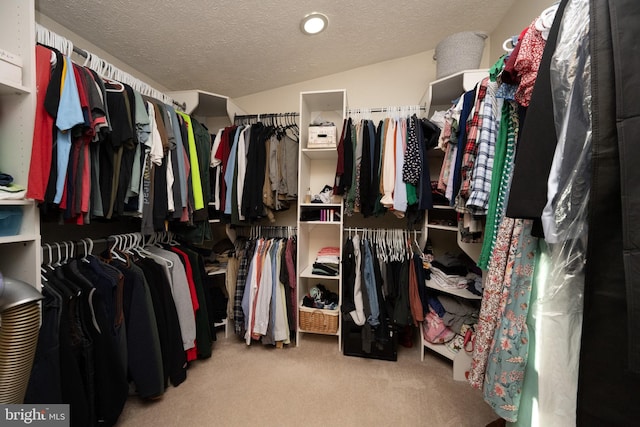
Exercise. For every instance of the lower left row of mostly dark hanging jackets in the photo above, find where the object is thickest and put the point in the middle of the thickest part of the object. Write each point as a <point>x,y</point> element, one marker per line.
<point>133,314</point>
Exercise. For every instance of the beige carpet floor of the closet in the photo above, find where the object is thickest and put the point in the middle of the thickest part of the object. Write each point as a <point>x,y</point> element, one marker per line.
<point>312,385</point>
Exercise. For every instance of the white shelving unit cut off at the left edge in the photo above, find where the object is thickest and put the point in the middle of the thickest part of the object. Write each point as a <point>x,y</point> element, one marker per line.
<point>20,254</point>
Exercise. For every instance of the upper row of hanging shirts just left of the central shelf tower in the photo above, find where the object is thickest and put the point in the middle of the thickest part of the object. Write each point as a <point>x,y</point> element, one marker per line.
<point>254,171</point>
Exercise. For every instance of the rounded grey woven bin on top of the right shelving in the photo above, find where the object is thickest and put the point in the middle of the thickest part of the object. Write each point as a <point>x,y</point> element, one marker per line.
<point>459,52</point>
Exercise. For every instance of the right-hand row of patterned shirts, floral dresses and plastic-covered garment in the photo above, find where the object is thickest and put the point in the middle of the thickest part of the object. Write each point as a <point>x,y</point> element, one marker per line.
<point>480,137</point>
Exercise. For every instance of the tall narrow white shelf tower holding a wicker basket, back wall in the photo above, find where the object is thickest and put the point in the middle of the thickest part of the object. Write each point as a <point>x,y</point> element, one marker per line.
<point>317,167</point>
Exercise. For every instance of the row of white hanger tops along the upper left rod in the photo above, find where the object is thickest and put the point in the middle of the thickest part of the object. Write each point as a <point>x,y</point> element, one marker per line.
<point>49,38</point>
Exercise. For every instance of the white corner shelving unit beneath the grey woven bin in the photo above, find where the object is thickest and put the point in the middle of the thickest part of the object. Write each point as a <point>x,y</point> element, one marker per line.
<point>440,95</point>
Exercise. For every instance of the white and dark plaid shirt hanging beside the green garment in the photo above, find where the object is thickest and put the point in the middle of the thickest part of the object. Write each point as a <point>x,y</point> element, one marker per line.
<point>481,181</point>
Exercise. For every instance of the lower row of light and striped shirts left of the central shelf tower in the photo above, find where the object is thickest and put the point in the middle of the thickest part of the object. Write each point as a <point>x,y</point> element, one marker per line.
<point>265,296</point>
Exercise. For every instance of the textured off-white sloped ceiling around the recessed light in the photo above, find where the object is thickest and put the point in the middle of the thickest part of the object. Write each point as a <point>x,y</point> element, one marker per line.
<point>240,47</point>
